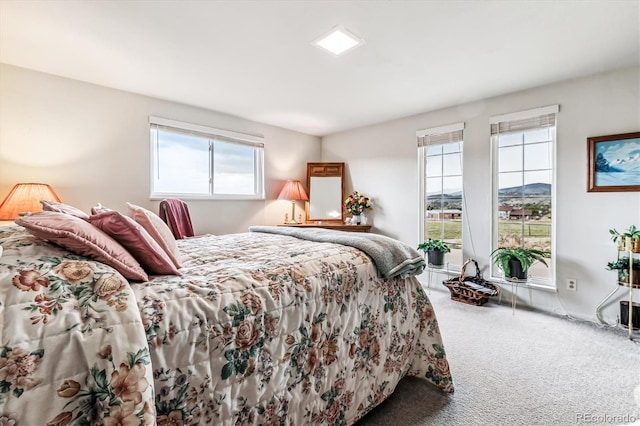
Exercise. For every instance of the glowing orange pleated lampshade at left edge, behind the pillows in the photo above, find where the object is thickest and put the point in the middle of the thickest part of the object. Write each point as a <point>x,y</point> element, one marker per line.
<point>25,197</point>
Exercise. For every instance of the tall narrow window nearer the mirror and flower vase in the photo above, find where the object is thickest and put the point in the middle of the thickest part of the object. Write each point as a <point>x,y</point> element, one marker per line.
<point>440,156</point>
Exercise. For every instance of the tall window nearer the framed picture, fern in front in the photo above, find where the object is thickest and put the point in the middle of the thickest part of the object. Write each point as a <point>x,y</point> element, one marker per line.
<point>523,153</point>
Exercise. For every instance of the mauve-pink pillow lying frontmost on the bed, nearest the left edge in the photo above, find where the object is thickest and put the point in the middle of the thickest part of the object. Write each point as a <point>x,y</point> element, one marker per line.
<point>80,237</point>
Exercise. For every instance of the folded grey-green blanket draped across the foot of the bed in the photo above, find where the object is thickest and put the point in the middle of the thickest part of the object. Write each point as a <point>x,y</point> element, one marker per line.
<point>393,258</point>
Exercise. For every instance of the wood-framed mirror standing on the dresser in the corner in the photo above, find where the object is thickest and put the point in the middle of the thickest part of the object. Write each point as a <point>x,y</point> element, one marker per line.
<point>325,182</point>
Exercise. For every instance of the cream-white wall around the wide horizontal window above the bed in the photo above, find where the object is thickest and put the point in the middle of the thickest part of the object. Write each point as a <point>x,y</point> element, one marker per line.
<point>91,143</point>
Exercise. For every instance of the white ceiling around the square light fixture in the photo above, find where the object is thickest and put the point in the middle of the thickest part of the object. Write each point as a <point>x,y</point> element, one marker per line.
<point>254,59</point>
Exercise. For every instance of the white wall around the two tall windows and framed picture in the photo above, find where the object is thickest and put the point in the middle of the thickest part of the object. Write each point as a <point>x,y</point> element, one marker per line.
<point>382,163</point>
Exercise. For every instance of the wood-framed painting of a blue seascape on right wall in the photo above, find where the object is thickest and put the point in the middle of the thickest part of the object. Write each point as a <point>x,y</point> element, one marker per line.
<point>611,161</point>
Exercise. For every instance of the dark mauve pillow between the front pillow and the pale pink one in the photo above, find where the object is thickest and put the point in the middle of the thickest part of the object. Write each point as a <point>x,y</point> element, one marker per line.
<point>136,240</point>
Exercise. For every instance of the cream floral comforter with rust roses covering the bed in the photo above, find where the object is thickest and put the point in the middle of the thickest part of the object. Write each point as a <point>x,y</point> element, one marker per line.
<point>259,329</point>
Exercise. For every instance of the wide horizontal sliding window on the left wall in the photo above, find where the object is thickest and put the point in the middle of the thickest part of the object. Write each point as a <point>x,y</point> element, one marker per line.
<point>193,161</point>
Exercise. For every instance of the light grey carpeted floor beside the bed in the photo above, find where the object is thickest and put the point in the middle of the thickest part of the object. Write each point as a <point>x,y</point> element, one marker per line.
<point>526,368</point>
